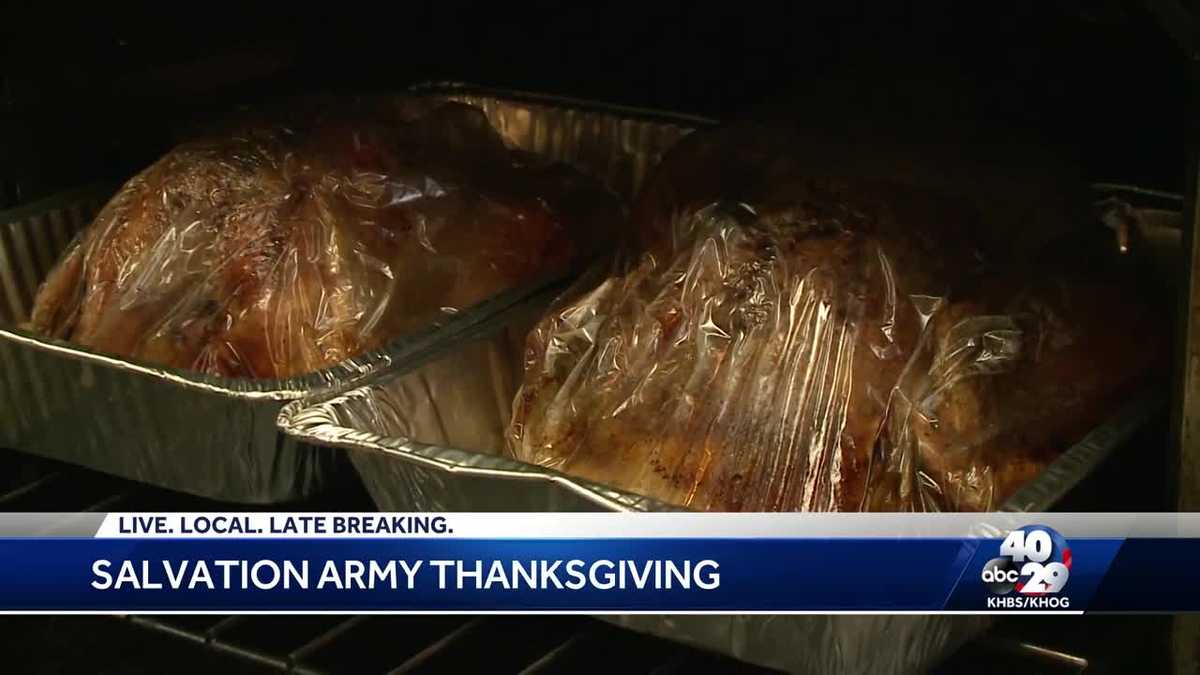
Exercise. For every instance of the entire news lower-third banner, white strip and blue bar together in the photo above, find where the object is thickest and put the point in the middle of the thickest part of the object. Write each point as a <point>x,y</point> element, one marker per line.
<point>599,564</point>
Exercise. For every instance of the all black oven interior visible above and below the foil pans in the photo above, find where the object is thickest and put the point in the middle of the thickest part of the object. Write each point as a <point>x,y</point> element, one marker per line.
<point>95,93</point>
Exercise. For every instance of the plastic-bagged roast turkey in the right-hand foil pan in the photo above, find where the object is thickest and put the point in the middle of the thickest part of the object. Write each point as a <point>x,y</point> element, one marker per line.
<point>821,344</point>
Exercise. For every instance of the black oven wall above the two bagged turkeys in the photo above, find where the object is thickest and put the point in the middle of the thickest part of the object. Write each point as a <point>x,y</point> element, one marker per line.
<point>97,97</point>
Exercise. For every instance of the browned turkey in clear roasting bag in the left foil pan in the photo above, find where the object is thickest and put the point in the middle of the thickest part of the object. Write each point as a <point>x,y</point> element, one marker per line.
<point>271,250</point>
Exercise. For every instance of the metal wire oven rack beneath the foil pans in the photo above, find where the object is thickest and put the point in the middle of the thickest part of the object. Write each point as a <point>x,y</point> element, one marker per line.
<point>387,644</point>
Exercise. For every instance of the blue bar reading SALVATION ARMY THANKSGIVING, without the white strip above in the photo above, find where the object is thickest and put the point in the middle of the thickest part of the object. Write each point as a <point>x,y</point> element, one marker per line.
<point>1029,569</point>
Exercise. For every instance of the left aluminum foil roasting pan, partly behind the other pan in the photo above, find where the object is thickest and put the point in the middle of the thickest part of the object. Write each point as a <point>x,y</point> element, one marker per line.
<point>218,438</point>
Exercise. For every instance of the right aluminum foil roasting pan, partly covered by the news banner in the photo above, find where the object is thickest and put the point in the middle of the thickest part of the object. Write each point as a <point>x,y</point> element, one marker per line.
<point>377,423</point>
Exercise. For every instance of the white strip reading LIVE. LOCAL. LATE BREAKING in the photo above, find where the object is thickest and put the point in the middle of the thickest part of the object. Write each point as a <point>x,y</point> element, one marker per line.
<point>635,525</point>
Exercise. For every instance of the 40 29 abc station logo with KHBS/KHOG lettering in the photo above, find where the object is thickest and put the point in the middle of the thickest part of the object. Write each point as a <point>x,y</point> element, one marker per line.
<point>1031,571</point>
